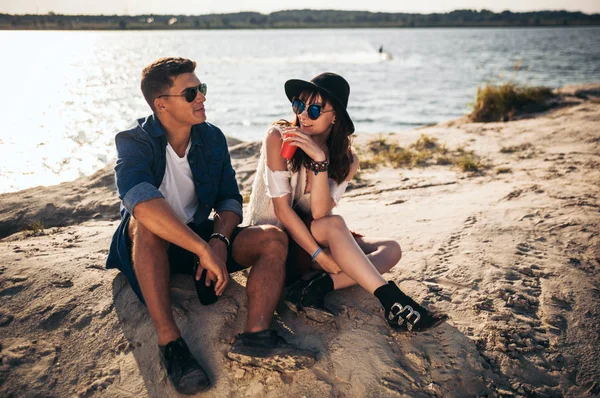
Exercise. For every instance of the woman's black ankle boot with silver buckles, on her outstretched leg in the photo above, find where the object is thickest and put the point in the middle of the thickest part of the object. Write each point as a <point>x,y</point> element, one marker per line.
<point>404,313</point>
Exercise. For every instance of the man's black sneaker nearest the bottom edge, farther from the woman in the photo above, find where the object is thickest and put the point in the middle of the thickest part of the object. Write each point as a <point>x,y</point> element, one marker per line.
<point>185,372</point>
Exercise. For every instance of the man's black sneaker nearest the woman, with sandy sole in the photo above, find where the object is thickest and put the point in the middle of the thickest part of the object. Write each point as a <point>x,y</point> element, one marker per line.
<point>269,350</point>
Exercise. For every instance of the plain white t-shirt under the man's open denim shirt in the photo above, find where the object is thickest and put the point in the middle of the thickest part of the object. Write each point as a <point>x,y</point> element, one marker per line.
<point>178,185</point>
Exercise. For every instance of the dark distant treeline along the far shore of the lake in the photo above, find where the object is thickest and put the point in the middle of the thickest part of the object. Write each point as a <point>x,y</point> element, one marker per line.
<point>299,19</point>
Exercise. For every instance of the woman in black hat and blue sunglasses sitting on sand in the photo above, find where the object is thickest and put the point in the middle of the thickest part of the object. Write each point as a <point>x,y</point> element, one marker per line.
<point>298,194</point>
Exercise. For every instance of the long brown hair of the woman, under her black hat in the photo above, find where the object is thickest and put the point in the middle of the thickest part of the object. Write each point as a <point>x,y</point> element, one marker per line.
<point>338,143</point>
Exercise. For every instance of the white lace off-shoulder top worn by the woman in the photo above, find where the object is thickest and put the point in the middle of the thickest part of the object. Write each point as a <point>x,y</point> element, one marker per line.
<point>270,184</point>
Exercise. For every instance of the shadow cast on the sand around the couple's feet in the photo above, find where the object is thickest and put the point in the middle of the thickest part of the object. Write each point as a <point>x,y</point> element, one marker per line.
<point>359,355</point>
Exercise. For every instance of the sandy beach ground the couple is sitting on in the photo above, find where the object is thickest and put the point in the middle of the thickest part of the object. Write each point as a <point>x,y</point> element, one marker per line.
<point>511,252</point>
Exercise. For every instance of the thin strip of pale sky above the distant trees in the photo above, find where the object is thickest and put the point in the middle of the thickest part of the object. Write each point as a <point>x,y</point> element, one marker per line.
<point>198,7</point>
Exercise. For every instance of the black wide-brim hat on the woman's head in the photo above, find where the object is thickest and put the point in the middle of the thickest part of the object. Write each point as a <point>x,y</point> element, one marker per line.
<point>333,86</point>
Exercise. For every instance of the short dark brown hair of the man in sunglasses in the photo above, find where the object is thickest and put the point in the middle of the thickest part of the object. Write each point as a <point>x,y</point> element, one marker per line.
<point>158,76</point>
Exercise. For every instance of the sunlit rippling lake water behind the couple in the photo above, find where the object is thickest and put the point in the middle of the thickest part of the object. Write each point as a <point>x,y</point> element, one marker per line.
<point>66,94</point>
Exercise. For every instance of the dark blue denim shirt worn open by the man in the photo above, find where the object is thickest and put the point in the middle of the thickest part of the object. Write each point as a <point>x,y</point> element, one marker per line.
<point>141,164</point>
